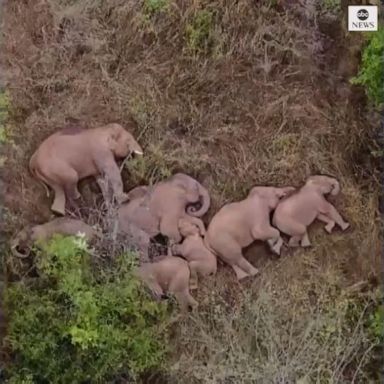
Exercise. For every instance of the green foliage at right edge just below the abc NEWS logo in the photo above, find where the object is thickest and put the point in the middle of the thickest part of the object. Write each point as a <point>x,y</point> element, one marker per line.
<point>371,74</point>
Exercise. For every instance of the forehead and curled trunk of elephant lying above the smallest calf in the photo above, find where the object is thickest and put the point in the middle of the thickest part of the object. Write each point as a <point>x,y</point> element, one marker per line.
<point>192,185</point>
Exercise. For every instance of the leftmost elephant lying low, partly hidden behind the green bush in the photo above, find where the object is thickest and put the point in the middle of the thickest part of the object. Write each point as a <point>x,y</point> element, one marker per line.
<point>21,244</point>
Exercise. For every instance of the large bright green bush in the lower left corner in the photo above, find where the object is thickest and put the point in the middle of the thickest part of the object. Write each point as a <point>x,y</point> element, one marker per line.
<point>77,324</point>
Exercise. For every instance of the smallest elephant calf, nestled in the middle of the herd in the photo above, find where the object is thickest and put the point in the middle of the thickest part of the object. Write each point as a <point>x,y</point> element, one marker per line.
<point>201,260</point>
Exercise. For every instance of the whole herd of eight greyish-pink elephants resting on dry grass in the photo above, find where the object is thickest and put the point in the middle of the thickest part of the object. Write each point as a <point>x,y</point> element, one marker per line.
<point>172,208</point>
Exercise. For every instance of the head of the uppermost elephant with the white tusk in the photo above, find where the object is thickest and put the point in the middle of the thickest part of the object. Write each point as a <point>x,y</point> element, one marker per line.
<point>122,142</point>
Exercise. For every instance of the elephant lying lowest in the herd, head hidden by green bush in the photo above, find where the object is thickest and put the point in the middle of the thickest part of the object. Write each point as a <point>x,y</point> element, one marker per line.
<point>168,274</point>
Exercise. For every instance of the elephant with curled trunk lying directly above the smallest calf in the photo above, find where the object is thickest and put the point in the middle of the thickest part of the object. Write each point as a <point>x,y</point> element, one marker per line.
<point>158,209</point>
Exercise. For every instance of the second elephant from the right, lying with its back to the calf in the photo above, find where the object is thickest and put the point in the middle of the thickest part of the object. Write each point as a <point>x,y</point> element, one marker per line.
<point>237,225</point>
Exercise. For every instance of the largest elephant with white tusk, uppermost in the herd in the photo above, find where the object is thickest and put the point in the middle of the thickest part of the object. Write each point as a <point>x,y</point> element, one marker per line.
<point>72,154</point>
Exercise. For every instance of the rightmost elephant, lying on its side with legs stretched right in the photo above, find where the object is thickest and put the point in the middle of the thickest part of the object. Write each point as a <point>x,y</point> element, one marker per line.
<point>294,214</point>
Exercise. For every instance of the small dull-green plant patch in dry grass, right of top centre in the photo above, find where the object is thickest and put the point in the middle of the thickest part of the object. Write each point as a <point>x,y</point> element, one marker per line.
<point>199,31</point>
